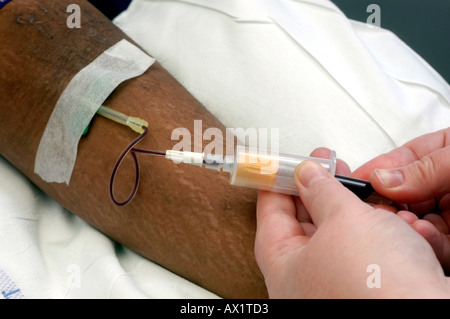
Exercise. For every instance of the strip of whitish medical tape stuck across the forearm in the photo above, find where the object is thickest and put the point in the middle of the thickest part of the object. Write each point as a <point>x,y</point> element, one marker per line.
<point>57,152</point>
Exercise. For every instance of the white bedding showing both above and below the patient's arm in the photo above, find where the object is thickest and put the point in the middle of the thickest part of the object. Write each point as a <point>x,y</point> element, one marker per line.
<point>299,66</point>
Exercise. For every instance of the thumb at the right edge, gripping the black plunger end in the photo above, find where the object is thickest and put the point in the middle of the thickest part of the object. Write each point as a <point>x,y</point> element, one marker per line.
<point>421,180</point>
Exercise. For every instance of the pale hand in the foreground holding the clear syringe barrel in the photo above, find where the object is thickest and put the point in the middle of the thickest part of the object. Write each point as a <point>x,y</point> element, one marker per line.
<point>347,249</point>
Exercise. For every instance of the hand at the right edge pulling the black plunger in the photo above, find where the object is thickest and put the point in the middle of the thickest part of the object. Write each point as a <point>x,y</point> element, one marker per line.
<point>418,174</point>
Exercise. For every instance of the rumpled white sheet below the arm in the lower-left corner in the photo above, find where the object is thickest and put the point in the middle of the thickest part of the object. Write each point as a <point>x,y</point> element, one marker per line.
<point>47,252</point>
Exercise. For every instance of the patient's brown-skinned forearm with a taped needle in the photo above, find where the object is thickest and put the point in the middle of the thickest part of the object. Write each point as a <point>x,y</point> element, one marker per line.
<point>187,219</point>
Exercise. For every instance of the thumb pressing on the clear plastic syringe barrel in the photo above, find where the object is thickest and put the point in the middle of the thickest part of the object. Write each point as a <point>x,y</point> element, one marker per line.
<point>322,195</point>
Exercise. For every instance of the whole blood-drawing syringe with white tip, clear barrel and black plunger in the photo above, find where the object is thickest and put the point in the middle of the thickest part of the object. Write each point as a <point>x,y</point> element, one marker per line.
<point>271,171</point>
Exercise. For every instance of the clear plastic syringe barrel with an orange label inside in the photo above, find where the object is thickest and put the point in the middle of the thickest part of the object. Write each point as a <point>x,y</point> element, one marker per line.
<point>271,171</point>
